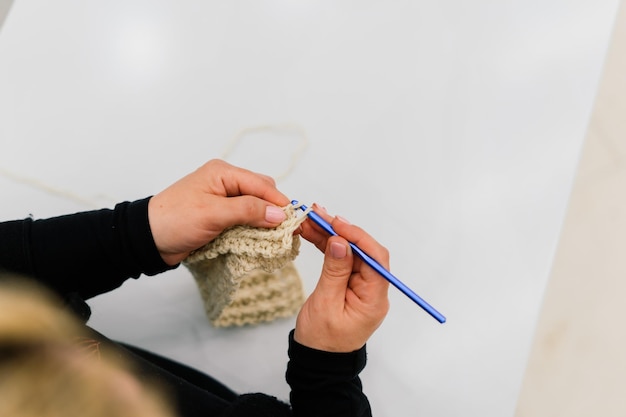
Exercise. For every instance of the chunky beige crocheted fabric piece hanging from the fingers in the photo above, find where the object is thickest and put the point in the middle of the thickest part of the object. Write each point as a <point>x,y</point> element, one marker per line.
<point>246,275</point>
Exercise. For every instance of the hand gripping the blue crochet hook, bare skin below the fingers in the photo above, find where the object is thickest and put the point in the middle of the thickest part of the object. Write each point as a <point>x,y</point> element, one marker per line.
<point>350,300</point>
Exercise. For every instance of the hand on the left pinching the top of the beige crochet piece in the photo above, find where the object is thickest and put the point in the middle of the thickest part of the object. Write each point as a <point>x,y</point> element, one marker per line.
<point>197,208</point>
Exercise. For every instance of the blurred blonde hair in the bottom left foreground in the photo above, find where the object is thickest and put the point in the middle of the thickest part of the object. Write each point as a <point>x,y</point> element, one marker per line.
<point>49,367</point>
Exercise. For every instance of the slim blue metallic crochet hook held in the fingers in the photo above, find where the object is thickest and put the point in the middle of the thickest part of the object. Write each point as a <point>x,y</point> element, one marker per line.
<point>375,265</point>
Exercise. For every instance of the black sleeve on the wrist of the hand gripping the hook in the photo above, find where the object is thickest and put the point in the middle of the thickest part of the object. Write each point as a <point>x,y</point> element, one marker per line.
<point>326,383</point>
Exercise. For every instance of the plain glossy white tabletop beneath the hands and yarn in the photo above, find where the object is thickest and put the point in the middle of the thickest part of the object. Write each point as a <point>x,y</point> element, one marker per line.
<point>450,131</point>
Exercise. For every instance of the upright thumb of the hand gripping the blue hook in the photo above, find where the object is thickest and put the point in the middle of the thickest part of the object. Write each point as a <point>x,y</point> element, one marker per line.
<point>337,268</point>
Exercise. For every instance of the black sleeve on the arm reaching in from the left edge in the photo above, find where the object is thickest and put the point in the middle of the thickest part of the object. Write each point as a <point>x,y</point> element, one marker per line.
<point>87,253</point>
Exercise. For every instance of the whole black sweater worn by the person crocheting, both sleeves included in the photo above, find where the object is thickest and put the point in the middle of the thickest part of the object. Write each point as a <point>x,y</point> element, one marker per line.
<point>84,254</point>
